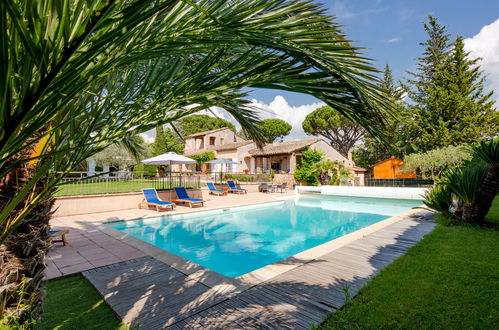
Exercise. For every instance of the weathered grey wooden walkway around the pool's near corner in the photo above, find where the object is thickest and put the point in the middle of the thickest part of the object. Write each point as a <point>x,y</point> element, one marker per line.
<point>151,295</point>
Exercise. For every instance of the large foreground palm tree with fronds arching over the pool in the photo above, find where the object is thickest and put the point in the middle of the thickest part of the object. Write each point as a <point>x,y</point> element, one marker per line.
<point>79,75</point>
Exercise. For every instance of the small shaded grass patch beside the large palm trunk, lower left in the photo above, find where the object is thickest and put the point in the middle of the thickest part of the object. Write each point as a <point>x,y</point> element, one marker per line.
<point>73,303</point>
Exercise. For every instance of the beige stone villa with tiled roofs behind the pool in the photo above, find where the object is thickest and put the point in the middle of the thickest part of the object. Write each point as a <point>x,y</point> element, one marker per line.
<point>281,157</point>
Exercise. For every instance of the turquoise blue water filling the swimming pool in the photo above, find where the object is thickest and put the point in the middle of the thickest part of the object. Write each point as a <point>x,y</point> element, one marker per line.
<point>238,240</point>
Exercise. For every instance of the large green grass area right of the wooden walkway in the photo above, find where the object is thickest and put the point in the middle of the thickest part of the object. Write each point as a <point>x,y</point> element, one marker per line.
<point>448,280</point>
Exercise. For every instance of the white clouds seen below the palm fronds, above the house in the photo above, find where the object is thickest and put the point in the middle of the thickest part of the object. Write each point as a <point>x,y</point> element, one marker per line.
<point>278,108</point>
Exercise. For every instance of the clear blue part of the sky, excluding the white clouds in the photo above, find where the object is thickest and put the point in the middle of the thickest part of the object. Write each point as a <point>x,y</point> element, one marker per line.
<point>391,30</point>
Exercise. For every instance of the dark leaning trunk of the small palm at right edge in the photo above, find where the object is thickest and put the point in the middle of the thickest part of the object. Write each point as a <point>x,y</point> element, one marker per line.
<point>486,194</point>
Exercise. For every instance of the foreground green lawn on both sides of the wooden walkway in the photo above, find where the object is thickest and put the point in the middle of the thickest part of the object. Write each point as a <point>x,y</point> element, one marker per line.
<point>448,280</point>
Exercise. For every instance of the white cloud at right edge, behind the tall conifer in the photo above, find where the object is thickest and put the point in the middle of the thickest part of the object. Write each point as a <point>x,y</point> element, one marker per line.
<point>485,44</point>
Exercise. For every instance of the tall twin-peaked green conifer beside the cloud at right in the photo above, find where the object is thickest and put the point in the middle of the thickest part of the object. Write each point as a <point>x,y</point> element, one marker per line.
<point>450,106</point>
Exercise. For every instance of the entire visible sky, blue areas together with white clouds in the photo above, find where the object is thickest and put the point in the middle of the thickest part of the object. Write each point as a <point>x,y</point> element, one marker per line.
<point>390,31</point>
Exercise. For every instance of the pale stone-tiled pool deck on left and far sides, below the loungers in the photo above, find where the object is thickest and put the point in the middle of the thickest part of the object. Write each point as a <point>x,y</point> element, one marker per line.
<point>88,247</point>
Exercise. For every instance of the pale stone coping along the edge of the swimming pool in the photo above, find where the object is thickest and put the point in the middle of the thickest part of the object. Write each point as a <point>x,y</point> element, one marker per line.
<point>235,285</point>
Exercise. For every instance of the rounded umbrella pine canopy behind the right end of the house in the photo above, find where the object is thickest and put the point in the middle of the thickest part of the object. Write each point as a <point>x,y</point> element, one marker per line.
<point>341,132</point>
